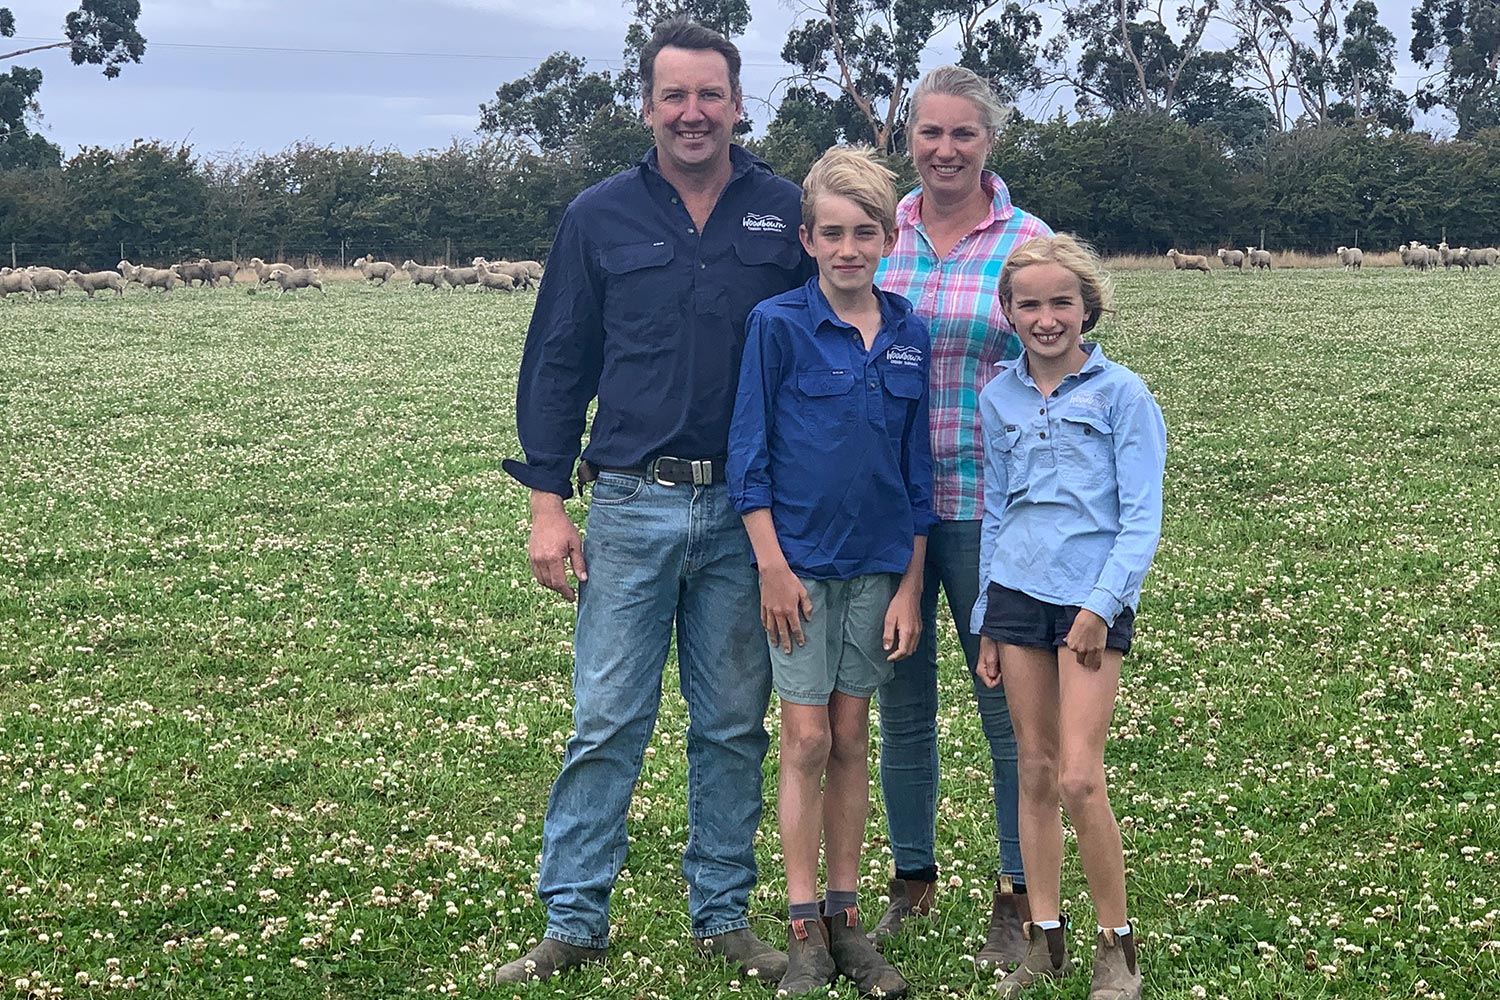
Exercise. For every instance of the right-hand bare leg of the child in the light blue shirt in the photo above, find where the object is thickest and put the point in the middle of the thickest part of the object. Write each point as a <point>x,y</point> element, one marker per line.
<point>1088,704</point>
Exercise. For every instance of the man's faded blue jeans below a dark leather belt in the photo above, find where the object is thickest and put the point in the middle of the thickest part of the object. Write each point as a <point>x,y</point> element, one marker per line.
<point>661,558</point>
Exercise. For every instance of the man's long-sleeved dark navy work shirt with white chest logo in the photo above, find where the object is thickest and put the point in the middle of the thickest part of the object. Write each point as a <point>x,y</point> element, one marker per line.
<point>649,316</point>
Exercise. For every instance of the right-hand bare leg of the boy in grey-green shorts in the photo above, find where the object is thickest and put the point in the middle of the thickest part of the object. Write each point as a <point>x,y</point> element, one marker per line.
<point>847,794</point>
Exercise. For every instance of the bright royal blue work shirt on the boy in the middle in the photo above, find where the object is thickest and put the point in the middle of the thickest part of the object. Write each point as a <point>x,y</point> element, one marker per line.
<point>833,439</point>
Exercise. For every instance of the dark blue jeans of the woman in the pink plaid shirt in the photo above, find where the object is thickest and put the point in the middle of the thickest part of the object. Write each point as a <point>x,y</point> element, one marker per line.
<point>910,716</point>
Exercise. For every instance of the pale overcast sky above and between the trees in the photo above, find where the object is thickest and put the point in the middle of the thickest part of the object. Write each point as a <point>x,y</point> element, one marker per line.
<point>247,76</point>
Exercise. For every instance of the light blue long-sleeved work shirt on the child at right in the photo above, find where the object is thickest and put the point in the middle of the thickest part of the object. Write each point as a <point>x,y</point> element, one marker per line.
<point>1072,487</point>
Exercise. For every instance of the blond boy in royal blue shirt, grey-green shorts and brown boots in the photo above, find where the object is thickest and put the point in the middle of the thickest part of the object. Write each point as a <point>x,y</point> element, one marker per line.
<point>830,467</point>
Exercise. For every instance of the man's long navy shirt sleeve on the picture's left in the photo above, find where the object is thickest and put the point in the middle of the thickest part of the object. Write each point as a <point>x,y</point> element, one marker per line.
<point>562,364</point>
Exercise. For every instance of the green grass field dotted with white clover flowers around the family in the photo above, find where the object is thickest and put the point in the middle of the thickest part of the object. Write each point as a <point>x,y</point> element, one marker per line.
<point>280,704</point>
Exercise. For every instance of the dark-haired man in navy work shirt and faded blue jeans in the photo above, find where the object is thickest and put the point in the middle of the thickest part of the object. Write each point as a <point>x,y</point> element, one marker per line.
<point>649,287</point>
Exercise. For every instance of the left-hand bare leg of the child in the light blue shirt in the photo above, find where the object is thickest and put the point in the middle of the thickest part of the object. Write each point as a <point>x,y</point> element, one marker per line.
<point>1033,693</point>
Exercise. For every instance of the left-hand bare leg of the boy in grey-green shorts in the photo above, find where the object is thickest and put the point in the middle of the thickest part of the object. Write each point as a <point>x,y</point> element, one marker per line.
<point>800,800</point>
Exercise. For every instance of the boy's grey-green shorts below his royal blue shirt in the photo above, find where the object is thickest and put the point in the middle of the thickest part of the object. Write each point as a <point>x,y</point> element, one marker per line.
<point>845,636</point>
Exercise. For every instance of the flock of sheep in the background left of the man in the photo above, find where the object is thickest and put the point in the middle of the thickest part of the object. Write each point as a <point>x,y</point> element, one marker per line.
<point>494,275</point>
